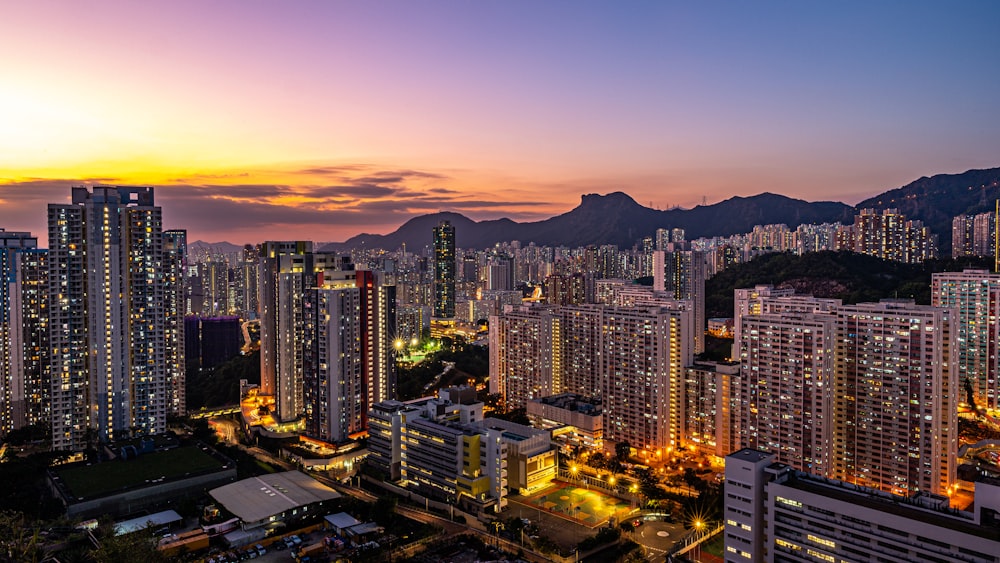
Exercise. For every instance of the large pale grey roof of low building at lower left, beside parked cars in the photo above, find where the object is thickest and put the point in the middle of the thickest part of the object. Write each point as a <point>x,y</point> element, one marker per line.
<point>257,498</point>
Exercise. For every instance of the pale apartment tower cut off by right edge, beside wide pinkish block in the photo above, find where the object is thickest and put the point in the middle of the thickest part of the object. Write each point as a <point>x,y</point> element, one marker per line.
<point>974,295</point>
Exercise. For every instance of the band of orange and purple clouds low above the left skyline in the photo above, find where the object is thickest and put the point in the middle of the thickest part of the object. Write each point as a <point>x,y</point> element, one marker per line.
<point>322,203</point>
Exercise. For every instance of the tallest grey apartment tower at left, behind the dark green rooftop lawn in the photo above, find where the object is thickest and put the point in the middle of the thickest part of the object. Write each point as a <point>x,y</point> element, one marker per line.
<point>107,310</point>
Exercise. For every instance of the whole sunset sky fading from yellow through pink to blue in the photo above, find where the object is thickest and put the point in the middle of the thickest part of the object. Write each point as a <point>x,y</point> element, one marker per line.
<point>322,119</point>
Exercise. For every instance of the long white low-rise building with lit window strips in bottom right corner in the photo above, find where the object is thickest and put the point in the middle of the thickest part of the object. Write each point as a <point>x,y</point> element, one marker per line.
<point>776,513</point>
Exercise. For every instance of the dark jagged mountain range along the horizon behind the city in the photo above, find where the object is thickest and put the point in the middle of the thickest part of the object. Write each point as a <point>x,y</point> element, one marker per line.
<point>617,219</point>
